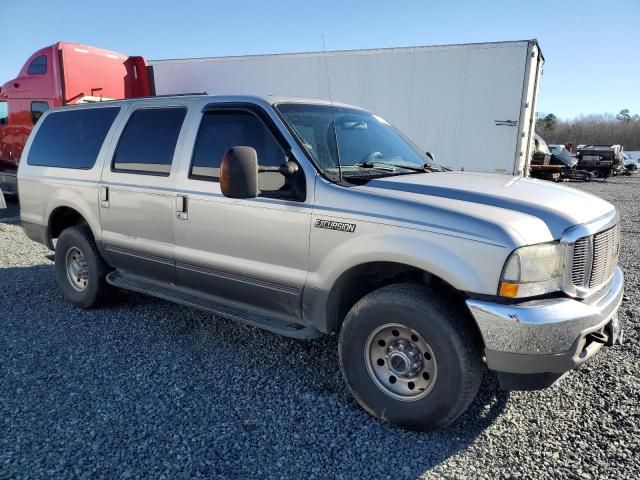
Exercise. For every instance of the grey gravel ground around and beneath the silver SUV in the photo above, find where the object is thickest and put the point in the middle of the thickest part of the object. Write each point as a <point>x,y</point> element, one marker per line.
<point>146,388</point>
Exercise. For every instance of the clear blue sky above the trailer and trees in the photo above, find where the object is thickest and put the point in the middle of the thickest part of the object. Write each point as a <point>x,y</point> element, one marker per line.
<point>591,47</point>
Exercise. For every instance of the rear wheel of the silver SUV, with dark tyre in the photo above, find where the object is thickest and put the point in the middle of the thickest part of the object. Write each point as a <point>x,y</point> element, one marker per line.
<point>80,270</point>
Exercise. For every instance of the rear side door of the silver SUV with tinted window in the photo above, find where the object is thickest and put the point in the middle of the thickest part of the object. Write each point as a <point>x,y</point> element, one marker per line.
<point>137,193</point>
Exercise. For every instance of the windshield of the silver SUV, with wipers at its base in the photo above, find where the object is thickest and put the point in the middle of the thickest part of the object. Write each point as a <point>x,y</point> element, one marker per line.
<point>365,145</point>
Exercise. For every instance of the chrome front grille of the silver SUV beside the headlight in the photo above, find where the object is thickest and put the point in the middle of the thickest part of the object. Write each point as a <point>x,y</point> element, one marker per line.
<point>595,258</point>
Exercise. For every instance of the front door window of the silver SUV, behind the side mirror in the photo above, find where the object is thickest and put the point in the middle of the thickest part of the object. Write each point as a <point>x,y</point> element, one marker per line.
<point>220,131</point>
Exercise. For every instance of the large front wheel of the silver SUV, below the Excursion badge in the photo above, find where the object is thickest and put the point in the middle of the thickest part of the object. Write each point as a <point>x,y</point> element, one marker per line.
<point>409,357</point>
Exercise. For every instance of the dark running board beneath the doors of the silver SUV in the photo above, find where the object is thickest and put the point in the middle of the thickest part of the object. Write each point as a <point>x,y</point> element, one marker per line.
<point>192,299</point>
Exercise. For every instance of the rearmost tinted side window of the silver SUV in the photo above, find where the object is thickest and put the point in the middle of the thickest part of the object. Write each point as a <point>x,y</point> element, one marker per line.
<point>72,138</point>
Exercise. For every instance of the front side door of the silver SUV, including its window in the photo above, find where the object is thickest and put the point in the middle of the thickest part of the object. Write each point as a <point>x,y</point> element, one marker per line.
<point>252,251</point>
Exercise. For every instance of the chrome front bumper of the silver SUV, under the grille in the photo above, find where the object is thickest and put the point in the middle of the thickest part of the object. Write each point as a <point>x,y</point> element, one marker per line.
<point>547,336</point>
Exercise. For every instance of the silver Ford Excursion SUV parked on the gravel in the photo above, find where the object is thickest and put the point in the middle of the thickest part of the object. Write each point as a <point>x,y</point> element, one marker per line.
<point>305,218</point>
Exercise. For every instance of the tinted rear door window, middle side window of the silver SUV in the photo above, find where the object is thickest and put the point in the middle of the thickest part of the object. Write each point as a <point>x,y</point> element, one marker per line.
<point>149,140</point>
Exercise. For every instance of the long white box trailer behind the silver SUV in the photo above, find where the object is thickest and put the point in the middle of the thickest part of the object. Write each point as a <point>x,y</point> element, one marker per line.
<point>472,105</point>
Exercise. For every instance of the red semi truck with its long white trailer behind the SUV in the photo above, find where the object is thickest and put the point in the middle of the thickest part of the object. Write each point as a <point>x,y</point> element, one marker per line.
<point>471,105</point>
